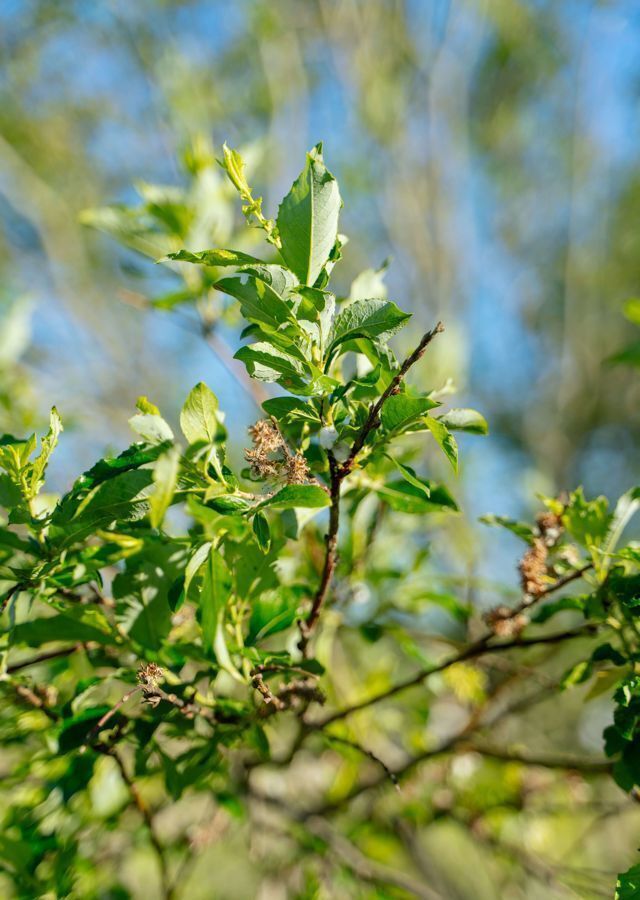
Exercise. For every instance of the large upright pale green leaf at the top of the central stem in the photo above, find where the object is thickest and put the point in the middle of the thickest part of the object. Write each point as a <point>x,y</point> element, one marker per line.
<point>308,219</point>
